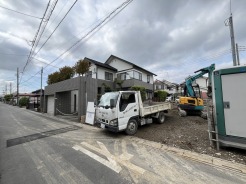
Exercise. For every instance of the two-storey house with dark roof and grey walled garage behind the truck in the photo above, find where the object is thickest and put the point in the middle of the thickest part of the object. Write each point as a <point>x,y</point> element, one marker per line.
<point>71,96</point>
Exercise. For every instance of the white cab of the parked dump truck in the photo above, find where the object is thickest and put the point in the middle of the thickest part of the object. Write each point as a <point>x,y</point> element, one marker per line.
<point>116,108</point>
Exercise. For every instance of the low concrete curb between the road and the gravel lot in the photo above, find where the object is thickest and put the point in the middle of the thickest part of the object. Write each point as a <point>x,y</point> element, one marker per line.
<point>206,159</point>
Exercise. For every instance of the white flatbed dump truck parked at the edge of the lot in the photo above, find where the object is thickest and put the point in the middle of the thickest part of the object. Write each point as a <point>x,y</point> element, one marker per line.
<point>124,111</point>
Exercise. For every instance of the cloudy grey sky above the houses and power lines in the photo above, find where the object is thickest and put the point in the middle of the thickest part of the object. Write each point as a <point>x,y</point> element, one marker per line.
<point>171,38</point>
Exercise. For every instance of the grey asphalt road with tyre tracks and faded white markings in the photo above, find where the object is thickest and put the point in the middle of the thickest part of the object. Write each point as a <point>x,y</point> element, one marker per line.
<point>35,149</point>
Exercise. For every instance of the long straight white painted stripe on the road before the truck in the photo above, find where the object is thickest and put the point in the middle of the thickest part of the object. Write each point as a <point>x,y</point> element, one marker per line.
<point>109,164</point>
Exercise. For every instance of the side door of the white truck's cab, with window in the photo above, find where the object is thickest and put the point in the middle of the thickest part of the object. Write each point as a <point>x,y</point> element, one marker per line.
<point>128,107</point>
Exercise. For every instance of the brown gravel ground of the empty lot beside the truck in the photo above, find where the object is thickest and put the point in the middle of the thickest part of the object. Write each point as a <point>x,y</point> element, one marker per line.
<point>188,133</point>
